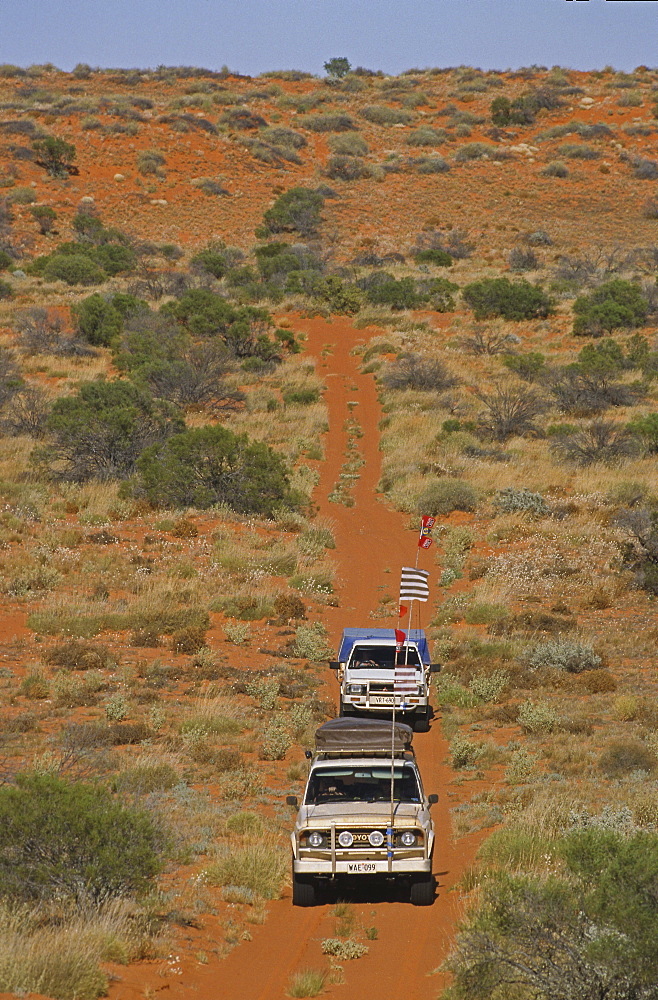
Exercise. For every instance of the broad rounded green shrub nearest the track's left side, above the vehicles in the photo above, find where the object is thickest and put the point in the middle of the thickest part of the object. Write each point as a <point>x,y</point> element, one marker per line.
<point>210,465</point>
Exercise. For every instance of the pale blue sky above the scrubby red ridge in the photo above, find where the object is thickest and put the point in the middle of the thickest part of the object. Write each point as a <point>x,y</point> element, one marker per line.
<point>253,36</point>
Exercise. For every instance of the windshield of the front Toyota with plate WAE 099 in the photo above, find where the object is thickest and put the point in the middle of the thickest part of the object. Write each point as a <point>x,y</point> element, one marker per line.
<point>363,784</point>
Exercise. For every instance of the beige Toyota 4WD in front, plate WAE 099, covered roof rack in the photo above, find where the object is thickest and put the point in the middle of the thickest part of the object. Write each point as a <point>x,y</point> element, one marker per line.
<point>347,826</point>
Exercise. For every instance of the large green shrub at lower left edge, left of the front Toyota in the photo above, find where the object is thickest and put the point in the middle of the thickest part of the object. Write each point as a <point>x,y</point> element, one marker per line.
<point>72,840</point>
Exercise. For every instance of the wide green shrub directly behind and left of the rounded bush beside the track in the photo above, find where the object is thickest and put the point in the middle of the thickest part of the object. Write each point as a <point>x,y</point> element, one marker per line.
<point>100,431</point>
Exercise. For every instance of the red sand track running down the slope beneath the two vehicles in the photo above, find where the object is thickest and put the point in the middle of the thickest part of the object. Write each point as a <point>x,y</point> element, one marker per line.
<point>372,543</point>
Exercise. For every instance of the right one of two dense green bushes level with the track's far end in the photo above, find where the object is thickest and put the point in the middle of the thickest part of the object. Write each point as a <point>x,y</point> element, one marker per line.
<point>612,306</point>
